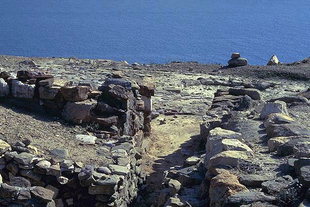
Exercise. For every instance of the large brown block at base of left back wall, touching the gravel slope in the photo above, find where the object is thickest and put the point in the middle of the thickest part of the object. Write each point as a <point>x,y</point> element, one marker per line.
<point>78,112</point>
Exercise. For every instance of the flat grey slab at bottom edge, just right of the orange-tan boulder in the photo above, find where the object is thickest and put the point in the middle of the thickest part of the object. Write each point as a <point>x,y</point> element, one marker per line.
<point>242,198</point>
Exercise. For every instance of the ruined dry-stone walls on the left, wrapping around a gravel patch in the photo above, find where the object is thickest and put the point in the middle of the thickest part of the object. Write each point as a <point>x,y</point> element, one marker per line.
<point>122,112</point>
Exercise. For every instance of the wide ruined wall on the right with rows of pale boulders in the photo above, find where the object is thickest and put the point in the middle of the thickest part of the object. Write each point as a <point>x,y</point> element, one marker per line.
<point>240,169</point>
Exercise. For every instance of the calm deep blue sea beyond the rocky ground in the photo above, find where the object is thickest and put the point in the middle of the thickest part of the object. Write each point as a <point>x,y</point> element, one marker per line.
<point>157,31</point>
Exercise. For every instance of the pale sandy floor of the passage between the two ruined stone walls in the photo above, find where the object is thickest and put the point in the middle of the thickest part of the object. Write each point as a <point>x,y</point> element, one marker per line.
<point>172,143</point>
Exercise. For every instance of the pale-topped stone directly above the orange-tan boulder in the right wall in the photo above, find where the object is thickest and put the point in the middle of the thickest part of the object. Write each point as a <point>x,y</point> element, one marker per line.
<point>229,158</point>
